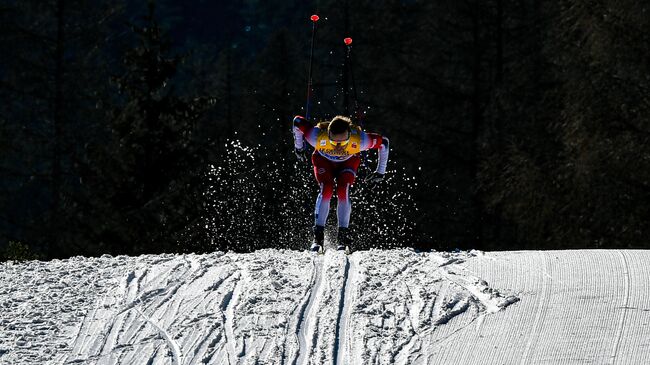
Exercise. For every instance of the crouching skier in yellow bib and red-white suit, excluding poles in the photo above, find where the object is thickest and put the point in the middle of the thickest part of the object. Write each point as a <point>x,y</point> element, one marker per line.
<point>337,145</point>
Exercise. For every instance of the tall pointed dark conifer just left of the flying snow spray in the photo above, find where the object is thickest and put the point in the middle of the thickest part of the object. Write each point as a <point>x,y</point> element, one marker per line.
<point>147,176</point>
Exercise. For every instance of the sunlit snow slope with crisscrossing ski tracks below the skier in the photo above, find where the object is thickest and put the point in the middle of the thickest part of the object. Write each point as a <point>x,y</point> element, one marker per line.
<point>285,307</point>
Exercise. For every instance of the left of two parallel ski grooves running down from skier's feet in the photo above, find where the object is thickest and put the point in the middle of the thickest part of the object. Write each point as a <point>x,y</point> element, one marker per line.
<point>304,325</point>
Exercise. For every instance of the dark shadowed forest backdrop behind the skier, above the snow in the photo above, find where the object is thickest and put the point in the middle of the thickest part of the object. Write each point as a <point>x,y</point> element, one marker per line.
<point>130,127</point>
